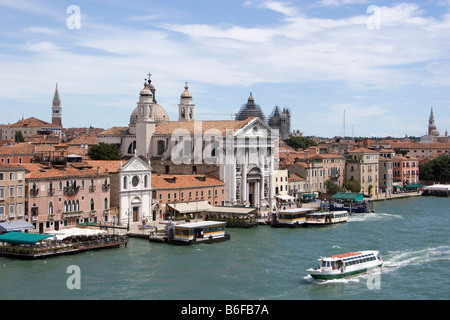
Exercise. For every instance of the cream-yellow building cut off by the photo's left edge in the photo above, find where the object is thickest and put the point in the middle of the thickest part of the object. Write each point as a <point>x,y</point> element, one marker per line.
<point>12,192</point>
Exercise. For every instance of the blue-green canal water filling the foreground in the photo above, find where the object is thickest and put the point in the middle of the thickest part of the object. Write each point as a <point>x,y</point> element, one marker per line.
<point>261,263</point>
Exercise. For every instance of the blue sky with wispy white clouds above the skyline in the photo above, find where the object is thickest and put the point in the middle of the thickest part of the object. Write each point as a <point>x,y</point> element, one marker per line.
<point>343,67</point>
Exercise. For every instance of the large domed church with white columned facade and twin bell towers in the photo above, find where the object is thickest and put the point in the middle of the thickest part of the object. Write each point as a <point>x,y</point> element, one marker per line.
<point>241,153</point>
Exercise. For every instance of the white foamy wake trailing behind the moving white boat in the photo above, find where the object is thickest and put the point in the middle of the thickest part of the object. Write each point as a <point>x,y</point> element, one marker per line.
<point>396,260</point>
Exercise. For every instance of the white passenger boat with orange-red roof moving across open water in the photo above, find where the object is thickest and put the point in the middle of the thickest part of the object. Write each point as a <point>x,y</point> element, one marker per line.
<point>346,265</point>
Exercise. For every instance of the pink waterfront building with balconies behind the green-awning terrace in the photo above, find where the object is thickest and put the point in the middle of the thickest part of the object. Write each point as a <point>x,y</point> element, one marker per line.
<point>61,196</point>
